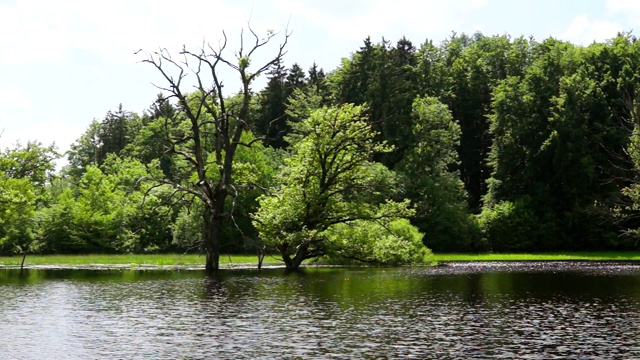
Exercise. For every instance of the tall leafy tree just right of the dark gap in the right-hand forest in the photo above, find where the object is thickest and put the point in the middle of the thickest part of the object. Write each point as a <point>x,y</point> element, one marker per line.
<point>521,155</point>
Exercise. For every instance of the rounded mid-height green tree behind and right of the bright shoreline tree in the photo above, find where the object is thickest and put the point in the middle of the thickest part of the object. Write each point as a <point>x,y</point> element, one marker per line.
<point>428,176</point>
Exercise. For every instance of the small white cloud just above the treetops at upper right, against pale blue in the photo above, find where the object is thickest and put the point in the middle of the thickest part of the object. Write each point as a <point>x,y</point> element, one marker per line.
<point>585,31</point>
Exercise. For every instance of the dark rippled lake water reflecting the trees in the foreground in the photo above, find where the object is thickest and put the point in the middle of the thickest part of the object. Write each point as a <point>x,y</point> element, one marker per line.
<point>536,311</point>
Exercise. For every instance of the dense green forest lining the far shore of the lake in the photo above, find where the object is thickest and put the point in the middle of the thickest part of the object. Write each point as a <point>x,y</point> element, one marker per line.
<point>479,143</point>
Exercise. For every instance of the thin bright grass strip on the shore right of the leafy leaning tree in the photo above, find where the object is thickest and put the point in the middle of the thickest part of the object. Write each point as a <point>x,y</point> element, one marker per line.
<point>590,256</point>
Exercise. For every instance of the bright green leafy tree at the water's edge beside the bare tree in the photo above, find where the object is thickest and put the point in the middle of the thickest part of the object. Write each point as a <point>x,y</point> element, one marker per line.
<point>329,189</point>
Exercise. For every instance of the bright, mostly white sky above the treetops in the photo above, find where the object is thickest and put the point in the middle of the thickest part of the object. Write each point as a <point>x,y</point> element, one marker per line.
<point>64,63</point>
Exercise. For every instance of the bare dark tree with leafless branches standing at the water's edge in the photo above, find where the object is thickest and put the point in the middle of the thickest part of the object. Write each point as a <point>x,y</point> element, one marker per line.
<point>216,125</point>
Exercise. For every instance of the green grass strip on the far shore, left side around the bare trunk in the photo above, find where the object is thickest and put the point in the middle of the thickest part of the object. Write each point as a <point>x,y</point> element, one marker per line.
<point>131,259</point>
